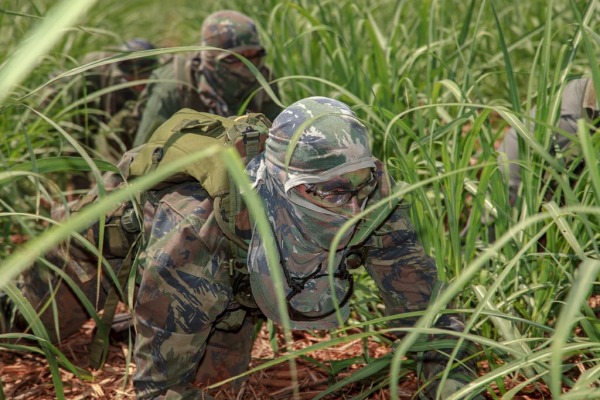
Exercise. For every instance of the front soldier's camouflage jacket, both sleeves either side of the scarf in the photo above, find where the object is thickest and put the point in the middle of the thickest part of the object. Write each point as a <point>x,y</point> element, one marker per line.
<point>186,287</point>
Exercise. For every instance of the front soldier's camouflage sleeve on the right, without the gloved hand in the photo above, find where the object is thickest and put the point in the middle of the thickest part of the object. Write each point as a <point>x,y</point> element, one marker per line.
<point>404,274</point>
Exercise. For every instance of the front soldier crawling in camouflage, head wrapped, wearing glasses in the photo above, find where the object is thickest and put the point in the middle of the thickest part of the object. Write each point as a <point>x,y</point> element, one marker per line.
<point>200,295</point>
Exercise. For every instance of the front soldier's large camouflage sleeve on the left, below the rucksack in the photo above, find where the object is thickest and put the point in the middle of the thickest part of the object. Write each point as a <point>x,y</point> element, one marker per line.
<point>183,291</point>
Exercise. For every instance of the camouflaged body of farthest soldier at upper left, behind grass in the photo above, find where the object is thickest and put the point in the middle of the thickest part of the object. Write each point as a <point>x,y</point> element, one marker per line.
<point>110,118</point>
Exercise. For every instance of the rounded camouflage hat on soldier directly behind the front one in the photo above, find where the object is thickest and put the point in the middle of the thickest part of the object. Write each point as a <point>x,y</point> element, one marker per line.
<point>230,30</point>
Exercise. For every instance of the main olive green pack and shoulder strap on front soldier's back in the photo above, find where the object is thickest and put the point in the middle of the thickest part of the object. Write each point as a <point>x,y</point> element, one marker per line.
<point>189,131</point>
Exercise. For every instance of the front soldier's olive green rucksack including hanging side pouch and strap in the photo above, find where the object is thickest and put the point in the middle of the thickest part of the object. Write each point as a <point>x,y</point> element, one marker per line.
<point>186,132</point>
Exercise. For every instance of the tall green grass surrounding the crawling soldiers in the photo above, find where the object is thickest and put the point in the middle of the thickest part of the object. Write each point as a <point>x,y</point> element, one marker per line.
<point>438,83</point>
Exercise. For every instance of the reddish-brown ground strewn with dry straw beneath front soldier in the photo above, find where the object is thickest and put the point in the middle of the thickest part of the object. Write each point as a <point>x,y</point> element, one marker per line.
<point>27,376</point>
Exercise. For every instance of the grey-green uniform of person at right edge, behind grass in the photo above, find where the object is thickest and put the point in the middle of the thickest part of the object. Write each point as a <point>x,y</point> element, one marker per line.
<point>578,101</point>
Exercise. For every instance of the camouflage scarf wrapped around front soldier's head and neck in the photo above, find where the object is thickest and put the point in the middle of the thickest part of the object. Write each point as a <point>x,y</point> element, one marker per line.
<point>330,142</point>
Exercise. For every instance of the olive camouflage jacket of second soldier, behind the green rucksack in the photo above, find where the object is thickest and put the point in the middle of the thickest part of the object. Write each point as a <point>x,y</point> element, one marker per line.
<point>178,88</point>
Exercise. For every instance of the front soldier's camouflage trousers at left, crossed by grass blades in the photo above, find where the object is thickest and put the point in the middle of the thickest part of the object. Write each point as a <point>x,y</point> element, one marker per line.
<point>40,284</point>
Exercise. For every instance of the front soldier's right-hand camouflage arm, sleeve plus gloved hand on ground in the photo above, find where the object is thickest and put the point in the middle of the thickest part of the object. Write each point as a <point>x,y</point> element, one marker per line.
<point>407,280</point>
